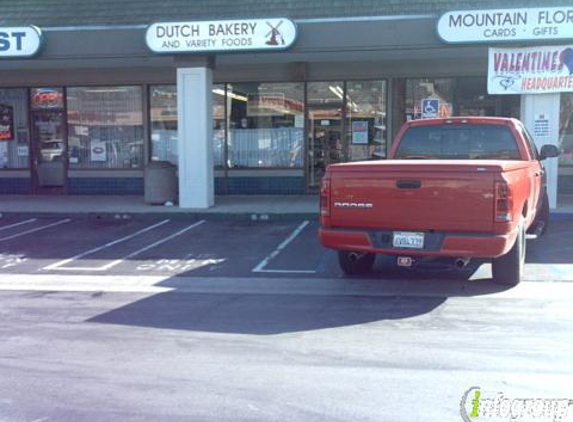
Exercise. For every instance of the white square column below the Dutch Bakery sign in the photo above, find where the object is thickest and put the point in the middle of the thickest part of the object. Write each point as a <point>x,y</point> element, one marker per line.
<point>195,123</point>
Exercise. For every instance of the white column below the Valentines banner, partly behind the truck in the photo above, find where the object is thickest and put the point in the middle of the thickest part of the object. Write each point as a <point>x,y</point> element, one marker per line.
<point>533,106</point>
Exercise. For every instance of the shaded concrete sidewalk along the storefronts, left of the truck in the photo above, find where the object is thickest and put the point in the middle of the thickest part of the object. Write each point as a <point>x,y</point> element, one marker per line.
<point>241,207</point>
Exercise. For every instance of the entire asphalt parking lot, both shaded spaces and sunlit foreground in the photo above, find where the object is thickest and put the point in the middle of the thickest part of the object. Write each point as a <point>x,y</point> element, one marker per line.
<point>173,320</point>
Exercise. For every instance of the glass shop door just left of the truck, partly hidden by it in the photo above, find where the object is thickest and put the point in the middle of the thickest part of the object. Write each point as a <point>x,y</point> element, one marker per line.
<point>325,128</point>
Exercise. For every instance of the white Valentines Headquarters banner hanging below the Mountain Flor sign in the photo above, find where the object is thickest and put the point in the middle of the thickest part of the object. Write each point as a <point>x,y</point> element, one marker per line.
<point>535,70</point>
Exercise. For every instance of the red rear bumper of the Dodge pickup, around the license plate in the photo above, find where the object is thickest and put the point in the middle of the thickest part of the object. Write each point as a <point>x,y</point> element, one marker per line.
<point>468,245</point>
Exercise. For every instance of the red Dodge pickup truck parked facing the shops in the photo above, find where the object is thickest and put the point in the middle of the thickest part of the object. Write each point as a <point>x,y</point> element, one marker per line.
<point>461,188</point>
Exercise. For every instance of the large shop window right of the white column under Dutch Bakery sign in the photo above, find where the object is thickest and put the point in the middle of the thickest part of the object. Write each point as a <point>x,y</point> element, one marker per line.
<point>266,125</point>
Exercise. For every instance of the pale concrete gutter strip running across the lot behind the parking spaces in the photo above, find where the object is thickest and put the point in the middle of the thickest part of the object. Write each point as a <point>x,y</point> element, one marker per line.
<point>393,288</point>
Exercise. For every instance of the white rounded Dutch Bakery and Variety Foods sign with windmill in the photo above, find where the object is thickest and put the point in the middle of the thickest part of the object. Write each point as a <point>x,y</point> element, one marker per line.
<point>221,36</point>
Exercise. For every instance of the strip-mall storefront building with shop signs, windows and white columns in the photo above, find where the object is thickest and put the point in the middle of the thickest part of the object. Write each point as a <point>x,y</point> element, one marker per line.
<point>259,100</point>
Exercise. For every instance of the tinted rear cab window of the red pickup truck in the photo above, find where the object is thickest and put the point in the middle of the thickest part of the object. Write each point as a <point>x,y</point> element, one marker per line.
<point>473,142</point>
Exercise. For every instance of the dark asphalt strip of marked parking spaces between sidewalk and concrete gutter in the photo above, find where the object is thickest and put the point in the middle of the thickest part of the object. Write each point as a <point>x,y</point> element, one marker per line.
<point>203,248</point>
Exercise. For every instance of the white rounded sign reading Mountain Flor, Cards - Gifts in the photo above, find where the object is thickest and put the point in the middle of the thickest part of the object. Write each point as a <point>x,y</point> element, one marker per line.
<point>503,25</point>
